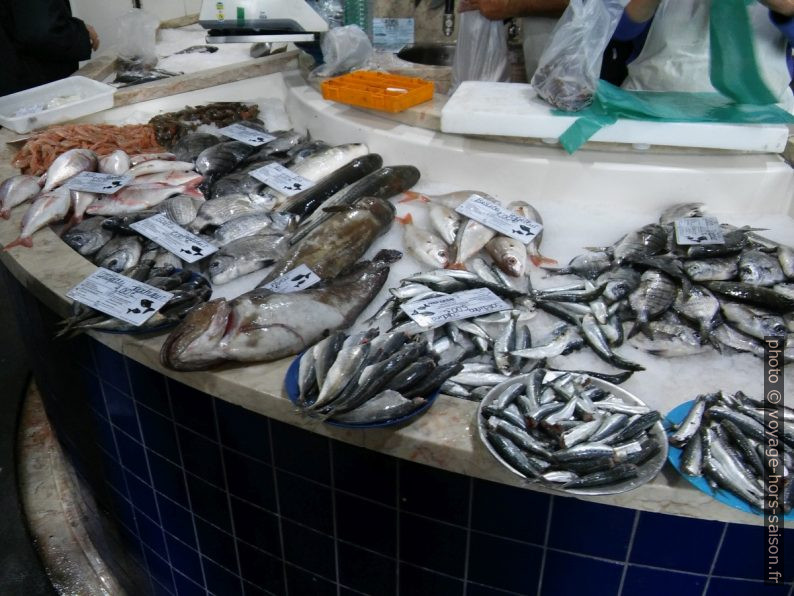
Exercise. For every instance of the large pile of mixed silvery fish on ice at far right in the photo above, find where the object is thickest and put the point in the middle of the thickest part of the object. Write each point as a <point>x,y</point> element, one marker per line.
<point>682,298</point>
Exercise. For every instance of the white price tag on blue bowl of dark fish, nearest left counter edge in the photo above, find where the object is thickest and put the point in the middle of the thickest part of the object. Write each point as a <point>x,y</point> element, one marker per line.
<point>119,296</point>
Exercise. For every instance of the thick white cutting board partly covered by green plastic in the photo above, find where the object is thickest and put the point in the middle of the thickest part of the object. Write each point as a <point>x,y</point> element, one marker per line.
<point>515,110</point>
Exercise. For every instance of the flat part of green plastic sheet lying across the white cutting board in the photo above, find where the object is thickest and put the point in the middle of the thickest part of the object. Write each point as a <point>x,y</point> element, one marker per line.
<point>611,102</point>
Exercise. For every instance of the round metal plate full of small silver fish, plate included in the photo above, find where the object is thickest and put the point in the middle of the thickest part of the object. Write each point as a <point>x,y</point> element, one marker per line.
<point>572,433</point>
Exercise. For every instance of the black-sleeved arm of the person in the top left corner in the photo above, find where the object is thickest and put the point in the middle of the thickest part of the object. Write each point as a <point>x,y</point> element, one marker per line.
<point>45,28</point>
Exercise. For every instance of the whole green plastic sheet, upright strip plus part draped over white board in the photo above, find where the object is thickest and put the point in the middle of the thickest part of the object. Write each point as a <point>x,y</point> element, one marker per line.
<point>743,98</point>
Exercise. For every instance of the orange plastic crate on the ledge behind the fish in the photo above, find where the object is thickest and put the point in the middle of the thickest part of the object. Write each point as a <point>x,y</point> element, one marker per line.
<point>378,90</point>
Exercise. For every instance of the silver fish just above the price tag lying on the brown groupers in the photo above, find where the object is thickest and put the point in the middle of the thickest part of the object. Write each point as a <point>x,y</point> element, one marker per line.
<point>246,255</point>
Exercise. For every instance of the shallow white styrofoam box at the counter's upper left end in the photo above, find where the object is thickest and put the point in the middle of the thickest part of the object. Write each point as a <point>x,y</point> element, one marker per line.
<point>95,97</point>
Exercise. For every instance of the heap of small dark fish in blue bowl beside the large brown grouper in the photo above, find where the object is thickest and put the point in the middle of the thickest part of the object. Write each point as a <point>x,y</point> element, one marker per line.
<point>369,378</point>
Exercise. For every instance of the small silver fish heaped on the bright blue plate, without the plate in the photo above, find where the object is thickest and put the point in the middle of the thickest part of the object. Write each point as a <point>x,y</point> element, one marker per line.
<point>723,439</point>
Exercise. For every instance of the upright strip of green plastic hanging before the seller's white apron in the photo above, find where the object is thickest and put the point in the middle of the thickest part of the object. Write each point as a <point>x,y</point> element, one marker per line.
<point>734,70</point>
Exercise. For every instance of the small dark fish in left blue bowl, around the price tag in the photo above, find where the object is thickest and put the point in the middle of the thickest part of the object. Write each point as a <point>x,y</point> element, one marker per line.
<point>189,290</point>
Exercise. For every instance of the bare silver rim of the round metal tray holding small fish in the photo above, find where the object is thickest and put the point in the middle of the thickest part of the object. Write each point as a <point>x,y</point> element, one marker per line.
<point>647,471</point>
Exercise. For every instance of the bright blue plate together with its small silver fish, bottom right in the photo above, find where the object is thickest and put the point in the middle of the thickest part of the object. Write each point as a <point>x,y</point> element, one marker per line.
<point>714,443</point>
